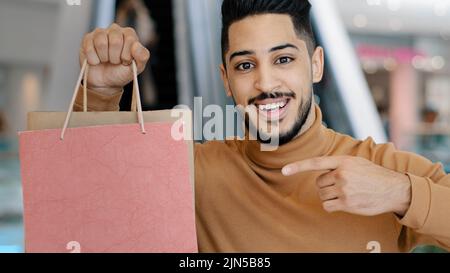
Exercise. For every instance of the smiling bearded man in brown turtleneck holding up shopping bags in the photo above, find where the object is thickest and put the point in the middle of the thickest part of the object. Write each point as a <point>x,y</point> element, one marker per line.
<point>320,191</point>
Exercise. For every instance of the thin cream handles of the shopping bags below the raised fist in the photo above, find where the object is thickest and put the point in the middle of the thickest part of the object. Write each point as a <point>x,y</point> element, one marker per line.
<point>136,102</point>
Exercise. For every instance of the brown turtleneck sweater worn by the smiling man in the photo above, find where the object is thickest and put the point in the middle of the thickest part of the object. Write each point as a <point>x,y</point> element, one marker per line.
<point>245,204</point>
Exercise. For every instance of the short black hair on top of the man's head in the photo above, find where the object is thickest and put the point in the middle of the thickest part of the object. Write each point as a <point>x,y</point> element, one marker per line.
<point>298,10</point>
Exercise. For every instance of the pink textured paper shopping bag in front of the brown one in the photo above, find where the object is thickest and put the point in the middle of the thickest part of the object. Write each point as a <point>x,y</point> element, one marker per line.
<point>107,189</point>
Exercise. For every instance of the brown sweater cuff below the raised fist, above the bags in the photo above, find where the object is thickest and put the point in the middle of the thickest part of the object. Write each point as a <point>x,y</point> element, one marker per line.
<point>98,102</point>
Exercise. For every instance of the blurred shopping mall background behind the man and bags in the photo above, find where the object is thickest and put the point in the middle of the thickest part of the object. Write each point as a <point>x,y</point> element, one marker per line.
<point>387,74</point>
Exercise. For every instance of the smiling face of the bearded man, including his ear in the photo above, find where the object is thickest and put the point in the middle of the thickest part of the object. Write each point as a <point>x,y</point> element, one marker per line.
<point>268,66</point>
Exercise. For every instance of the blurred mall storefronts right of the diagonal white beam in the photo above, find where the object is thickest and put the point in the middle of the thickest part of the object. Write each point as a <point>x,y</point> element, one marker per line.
<point>404,51</point>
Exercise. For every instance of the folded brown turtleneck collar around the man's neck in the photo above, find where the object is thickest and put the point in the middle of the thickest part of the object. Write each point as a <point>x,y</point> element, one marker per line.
<point>314,142</point>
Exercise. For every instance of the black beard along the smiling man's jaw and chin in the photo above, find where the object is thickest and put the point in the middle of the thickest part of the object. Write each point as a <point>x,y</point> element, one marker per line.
<point>303,113</point>
